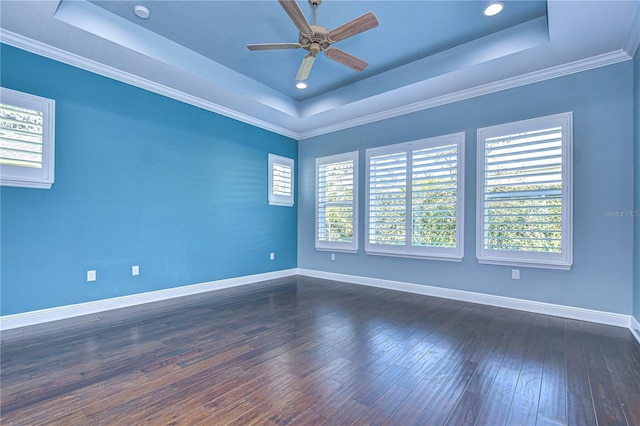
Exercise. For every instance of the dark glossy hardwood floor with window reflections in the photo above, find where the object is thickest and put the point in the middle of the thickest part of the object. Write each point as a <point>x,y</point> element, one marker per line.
<point>308,351</point>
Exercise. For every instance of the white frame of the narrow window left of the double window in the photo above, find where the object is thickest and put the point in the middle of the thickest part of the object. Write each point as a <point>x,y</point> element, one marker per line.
<point>338,246</point>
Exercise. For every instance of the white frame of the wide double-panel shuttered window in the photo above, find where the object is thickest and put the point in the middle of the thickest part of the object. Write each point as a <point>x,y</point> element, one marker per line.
<point>408,250</point>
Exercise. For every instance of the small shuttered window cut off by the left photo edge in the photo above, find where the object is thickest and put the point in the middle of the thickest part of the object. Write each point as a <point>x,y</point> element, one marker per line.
<point>26,140</point>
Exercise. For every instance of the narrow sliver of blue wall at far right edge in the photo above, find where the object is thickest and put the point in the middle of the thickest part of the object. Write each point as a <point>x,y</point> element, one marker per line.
<point>636,227</point>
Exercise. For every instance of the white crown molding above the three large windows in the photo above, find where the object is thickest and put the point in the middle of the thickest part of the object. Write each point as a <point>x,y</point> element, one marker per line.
<point>485,89</point>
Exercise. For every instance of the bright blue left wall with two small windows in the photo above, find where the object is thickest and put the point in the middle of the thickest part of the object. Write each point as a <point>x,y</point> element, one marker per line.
<point>141,179</point>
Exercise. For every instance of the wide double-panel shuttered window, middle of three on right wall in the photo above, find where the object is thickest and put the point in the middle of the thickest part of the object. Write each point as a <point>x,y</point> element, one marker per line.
<point>415,197</point>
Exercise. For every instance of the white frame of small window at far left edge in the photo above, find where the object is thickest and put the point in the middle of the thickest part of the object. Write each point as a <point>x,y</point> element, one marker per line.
<point>26,177</point>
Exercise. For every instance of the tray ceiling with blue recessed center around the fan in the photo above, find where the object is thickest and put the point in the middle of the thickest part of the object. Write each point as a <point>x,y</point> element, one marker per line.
<point>424,53</point>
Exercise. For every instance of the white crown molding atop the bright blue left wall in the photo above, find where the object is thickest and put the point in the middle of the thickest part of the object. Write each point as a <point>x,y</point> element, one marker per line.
<point>42,49</point>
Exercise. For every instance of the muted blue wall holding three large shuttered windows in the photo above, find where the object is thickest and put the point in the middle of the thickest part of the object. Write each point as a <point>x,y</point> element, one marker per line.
<point>602,275</point>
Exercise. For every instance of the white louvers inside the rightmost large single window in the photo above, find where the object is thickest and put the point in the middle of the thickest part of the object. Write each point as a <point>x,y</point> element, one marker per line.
<point>523,191</point>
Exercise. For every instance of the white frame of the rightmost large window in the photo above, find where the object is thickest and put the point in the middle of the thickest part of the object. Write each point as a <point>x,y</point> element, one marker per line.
<point>563,260</point>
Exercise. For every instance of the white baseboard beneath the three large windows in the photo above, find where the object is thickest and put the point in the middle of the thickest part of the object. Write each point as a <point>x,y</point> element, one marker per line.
<point>601,317</point>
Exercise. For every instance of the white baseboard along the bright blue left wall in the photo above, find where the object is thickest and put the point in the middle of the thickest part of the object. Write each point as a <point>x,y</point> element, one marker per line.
<point>9,322</point>
